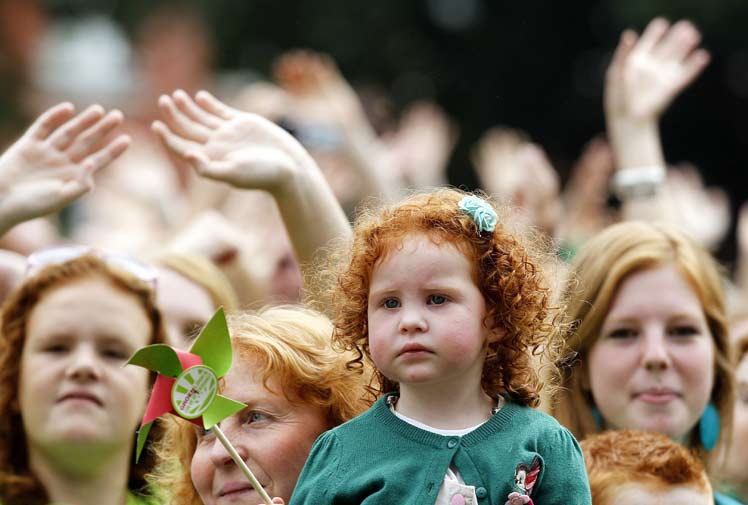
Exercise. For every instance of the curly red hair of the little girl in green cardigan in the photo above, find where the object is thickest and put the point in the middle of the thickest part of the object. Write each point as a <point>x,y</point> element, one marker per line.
<point>520,314</point>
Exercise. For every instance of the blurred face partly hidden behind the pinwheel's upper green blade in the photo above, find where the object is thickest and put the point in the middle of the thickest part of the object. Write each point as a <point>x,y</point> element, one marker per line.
<point>185,306</point>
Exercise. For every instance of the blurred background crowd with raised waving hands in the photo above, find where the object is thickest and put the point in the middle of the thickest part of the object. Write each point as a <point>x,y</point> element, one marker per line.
<point>137,163</point>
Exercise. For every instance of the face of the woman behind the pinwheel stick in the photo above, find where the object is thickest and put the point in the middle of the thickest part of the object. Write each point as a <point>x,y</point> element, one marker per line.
<point>272,435</point>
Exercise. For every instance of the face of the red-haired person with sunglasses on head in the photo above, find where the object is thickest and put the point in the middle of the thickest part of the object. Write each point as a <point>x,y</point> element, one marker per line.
<point>73,387</point>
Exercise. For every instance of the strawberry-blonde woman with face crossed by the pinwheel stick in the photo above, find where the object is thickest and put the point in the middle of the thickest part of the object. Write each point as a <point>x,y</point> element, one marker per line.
<point>294,386</point>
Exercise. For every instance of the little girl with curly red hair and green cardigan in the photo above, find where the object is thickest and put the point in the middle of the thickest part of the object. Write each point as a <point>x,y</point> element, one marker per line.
<point>451,307</point>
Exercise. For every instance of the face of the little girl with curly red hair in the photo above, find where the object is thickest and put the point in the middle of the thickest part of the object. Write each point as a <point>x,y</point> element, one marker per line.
<point>425,316</point>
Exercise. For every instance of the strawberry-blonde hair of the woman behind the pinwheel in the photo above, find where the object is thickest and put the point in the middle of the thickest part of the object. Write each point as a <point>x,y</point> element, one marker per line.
<point>287,343</point>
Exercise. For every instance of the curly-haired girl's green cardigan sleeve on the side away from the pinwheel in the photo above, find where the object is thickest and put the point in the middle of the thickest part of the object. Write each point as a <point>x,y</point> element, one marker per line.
<point>564,479</point>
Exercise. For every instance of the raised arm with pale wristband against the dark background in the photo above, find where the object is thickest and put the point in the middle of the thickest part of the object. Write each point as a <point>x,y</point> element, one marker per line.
<point>646,74</point>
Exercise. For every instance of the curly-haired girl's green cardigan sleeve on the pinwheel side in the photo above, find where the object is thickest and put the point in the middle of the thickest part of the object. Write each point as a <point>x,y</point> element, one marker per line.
<point>319,478</point>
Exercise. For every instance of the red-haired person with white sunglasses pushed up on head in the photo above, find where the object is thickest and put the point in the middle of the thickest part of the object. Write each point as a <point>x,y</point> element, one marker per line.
<point>68,407</point>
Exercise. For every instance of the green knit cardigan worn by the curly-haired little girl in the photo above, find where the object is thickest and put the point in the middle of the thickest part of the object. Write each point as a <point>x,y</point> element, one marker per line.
<point>378,458</point>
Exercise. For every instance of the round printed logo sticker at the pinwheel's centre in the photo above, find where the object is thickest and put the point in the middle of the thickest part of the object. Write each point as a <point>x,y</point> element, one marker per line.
<point>193,391</point>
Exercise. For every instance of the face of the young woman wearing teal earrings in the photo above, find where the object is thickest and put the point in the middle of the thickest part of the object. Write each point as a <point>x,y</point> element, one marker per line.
<point>652,367</point>
